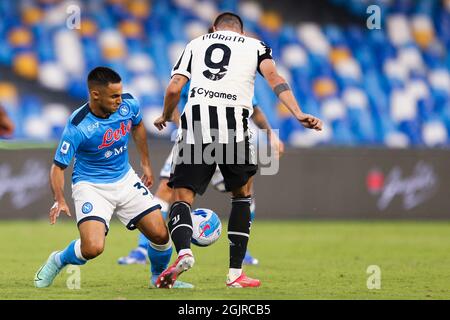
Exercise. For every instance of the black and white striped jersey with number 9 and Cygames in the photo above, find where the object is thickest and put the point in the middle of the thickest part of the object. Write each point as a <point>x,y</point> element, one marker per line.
<point>222,68</point>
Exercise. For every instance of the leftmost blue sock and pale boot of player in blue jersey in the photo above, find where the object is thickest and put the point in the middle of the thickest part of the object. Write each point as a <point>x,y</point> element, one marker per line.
<point>56,262</point>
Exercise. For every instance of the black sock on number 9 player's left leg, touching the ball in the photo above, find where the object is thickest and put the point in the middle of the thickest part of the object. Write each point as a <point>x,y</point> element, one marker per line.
<point>180,225</point>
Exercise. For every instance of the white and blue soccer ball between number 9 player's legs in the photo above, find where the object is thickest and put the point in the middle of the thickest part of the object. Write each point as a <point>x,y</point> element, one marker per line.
<point>206,227</point>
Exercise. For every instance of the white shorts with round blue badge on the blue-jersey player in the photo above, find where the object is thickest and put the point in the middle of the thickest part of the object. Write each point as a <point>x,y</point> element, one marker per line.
<point>128,198</point>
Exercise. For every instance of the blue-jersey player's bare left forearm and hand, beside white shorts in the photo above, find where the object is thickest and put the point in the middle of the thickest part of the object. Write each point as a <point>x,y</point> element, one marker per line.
<point>57,185</point>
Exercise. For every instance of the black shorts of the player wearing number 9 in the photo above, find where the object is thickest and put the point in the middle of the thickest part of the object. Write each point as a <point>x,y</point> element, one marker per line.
<point>193,170</point>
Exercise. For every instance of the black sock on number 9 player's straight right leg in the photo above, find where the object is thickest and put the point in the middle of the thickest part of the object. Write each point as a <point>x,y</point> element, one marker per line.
<point>239,230</point>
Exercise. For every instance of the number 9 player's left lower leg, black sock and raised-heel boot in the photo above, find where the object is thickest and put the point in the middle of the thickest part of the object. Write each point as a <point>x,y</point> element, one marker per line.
<point>180,227</point>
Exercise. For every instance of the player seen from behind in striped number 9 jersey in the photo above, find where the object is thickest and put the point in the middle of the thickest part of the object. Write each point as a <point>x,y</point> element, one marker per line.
<point>214,127</point>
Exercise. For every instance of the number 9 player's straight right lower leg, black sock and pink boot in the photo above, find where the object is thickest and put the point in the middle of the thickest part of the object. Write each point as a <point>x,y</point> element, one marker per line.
<point>238,234</point>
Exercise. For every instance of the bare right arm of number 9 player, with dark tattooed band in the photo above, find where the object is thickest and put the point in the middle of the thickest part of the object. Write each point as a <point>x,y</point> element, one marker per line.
<point>284,93</point>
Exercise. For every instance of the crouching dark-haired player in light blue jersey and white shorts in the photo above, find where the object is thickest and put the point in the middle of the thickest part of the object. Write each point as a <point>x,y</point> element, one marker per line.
<point>103,182</point>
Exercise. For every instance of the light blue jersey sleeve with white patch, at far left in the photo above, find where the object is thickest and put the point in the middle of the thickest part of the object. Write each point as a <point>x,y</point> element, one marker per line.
<point>70,140</point>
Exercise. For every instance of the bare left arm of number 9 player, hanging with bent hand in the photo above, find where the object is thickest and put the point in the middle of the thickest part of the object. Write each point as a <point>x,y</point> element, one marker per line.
<point>171,99</point>
